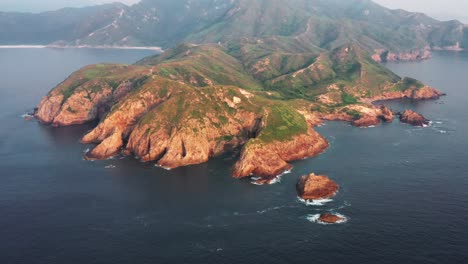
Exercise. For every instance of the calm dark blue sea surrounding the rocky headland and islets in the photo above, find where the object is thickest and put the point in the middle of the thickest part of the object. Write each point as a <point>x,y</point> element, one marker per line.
<point>404,189</point>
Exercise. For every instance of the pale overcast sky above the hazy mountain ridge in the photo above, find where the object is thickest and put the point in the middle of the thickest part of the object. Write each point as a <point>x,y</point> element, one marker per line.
<point>441,9</point>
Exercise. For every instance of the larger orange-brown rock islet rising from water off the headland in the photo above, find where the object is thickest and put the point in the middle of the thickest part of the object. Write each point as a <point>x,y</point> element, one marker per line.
<point>315,187</point>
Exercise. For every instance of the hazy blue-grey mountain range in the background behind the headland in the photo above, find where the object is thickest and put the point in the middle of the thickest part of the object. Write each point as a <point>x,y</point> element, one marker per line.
<point>326,24</point>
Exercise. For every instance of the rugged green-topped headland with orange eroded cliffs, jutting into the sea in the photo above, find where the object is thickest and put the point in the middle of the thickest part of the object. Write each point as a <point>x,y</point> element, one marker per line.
<point>195,102</point>
